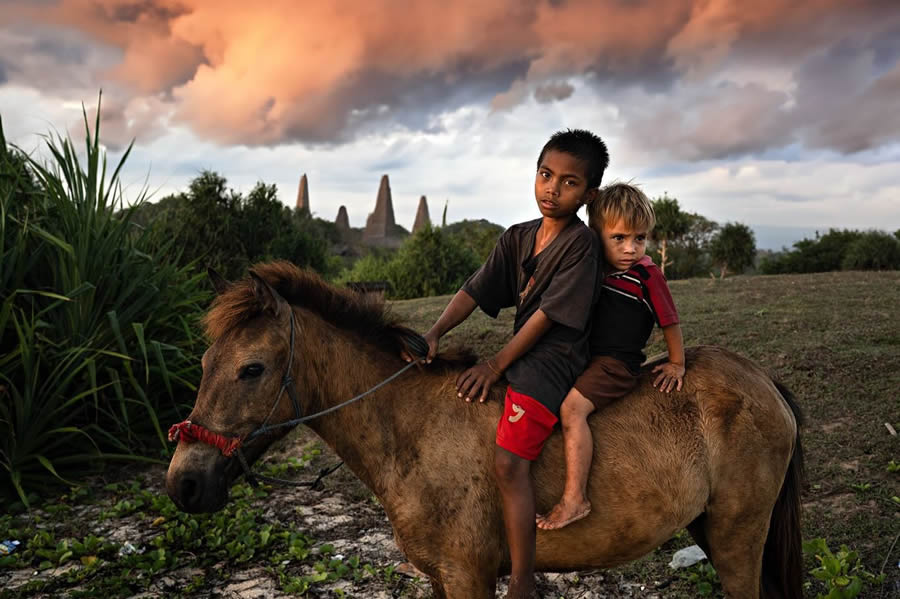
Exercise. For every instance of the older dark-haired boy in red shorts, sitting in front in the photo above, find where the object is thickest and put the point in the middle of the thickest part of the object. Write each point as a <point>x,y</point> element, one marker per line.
<point>547,269</point>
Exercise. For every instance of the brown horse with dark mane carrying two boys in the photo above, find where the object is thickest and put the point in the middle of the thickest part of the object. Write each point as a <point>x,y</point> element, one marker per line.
<point>722,457</point>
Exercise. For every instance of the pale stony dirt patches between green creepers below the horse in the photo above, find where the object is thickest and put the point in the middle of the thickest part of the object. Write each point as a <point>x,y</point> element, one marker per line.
<point>343,515</point>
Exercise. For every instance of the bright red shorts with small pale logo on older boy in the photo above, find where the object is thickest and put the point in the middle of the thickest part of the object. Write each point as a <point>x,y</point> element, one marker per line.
<point>524,426</point>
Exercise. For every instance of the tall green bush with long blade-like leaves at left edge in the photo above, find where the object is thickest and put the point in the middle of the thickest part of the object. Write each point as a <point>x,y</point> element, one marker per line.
<point>99,352</point>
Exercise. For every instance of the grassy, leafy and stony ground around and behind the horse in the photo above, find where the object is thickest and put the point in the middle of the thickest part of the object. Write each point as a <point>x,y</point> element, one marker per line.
<point>830,337</point>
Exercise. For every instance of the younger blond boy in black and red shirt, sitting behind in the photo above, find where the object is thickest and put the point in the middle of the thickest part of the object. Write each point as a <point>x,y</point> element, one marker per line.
<point>634,296</point>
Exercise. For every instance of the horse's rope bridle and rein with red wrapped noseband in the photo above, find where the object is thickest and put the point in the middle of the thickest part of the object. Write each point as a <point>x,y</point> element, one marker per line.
<point>189,432</point>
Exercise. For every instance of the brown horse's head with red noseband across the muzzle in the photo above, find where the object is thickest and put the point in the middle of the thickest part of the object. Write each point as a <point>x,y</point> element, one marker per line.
<point>241,390</point>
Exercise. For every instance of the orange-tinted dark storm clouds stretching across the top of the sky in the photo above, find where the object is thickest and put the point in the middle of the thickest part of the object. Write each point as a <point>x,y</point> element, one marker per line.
<point>689,78</point>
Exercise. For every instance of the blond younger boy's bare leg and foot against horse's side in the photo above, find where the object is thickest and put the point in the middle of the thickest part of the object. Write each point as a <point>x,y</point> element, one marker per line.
<point>574,504</point>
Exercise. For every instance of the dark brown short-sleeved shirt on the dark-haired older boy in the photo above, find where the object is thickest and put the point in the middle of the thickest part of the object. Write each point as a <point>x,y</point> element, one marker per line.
<point>561,281</point>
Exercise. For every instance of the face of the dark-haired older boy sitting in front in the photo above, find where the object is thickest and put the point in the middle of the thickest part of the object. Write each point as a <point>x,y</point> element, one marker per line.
<point>560,185</point>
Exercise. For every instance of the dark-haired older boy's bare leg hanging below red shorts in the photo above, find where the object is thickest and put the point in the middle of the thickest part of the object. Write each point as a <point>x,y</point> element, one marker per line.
<point>517,495</point>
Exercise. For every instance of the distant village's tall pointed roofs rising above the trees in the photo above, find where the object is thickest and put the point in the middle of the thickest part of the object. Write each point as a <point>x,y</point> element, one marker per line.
<point>381,229</point>
